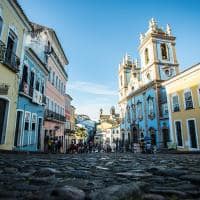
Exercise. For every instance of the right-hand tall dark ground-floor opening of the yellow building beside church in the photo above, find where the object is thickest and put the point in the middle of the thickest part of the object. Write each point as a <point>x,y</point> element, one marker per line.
<point>192,133</point>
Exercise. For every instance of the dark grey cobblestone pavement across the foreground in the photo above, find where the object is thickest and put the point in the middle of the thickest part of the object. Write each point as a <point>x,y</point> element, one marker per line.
<point>100,176</point>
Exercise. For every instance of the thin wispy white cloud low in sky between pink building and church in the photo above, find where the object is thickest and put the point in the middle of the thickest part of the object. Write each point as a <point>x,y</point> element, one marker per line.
<point>92,88</point>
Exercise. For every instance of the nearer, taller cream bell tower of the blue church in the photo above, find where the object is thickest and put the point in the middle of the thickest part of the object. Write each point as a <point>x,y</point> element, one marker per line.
<point>158,53</point>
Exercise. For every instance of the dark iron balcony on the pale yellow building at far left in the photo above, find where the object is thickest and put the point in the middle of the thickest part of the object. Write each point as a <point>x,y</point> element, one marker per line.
<point>8,58</point>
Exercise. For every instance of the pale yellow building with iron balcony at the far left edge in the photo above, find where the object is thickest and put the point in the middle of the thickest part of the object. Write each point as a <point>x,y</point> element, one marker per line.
<point>13,27</point>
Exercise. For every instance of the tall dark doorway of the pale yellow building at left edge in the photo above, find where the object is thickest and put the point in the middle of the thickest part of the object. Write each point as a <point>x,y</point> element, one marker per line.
<point>3,119</point>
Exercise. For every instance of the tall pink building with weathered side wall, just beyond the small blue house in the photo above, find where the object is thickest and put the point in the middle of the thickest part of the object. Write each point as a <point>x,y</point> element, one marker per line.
<point>45,42</point>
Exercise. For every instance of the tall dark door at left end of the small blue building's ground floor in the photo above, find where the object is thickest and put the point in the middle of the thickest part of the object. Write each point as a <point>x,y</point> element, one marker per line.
<point>18,129</point>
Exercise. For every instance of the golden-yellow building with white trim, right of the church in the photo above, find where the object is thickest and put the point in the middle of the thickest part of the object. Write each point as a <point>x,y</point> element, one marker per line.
<point>183,93</point>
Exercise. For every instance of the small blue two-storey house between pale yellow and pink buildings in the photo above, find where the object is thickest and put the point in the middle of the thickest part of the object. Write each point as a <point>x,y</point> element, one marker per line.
<point>31,103</point>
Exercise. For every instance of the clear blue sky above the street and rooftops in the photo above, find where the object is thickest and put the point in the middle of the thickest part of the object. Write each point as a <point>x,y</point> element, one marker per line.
<point>95,35</point>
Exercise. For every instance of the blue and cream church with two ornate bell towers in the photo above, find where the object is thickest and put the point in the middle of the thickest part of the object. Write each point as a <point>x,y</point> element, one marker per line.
<point>142,98</point>
